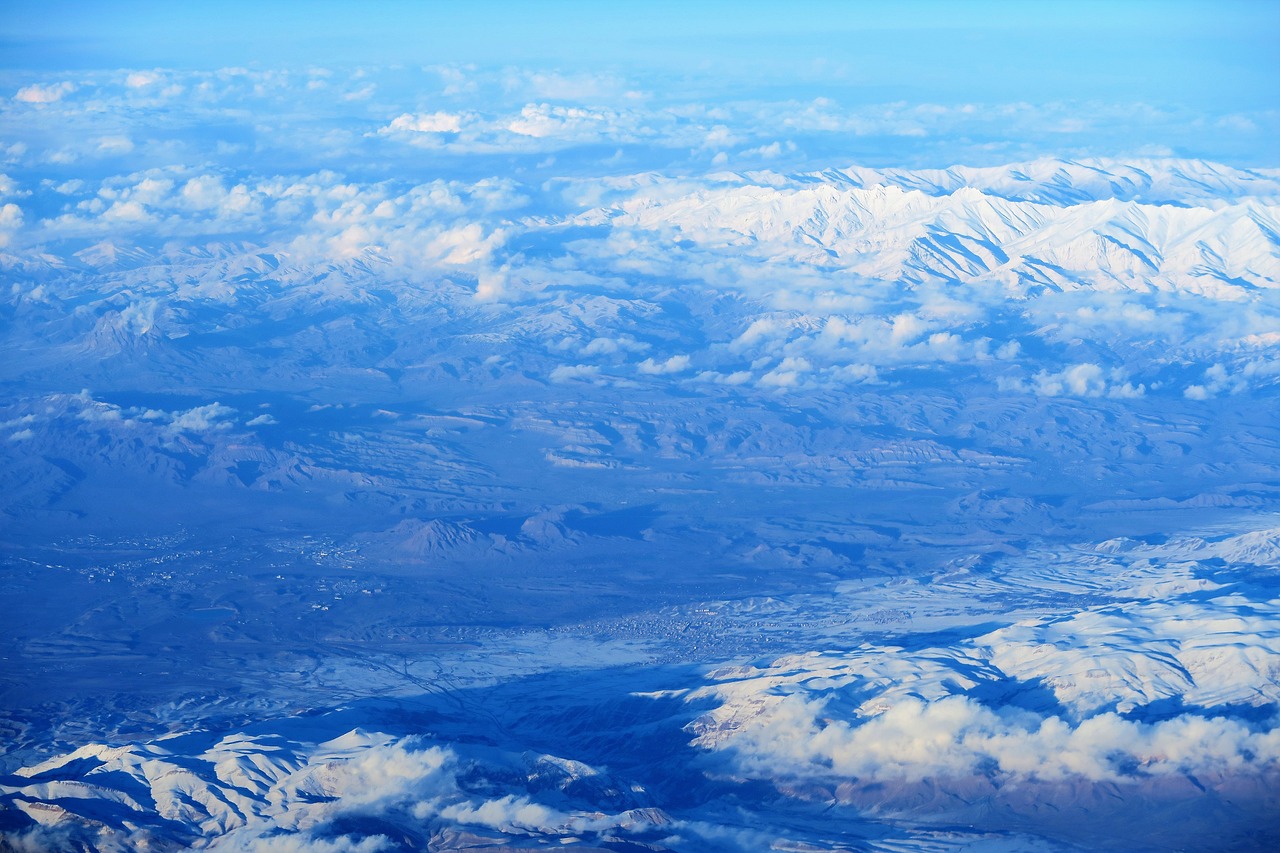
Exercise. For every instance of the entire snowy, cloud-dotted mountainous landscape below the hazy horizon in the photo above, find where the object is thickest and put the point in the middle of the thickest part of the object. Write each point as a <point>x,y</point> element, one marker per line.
<point>854,509</point>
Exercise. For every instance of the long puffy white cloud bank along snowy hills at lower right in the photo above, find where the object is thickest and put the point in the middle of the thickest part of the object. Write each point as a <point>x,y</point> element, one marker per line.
<point>959,738</point>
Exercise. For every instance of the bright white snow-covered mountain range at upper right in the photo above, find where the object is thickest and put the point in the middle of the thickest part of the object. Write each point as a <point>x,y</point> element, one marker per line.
<point>1084,226</point>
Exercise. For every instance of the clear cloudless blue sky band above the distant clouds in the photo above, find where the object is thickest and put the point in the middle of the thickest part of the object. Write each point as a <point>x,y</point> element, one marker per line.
<point>981,51</point>
